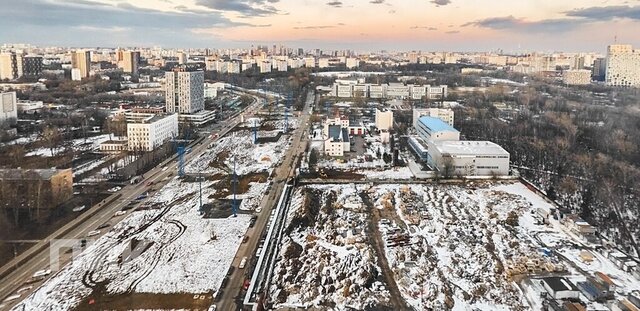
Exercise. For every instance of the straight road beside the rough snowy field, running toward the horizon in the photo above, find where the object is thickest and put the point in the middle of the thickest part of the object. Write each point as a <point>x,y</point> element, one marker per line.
<point>282,173</point>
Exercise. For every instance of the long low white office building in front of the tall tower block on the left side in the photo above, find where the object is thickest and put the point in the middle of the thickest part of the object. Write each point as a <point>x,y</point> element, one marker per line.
<point>151,132</point>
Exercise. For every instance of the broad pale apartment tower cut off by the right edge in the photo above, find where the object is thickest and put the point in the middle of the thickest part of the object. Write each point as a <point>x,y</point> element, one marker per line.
<point>623,65</point>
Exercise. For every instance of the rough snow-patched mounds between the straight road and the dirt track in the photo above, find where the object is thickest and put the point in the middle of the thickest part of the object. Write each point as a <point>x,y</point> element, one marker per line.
<point>325,259</point>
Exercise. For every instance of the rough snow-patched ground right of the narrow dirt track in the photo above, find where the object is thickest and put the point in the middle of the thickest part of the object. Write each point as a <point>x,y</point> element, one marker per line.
<point>461,246</point>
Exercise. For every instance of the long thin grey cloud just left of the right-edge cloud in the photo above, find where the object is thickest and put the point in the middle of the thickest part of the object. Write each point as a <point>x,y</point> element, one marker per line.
<point>518,24</point>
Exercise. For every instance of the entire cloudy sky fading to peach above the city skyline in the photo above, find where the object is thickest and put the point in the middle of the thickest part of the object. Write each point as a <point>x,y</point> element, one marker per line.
<point>361,25</point>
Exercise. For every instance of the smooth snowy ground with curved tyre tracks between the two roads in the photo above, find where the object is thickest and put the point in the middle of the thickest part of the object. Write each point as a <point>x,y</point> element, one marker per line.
<point>187,254</point>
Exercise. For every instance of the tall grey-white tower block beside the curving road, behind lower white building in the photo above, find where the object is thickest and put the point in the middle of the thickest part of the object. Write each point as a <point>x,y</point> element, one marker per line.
<point>184,91</point>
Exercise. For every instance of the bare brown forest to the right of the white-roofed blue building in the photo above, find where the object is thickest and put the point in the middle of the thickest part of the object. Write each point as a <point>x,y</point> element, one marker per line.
<point>583,153</point>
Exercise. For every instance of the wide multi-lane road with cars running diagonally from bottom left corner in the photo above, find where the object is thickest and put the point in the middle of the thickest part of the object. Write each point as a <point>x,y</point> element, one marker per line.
<point>40,260</point>
